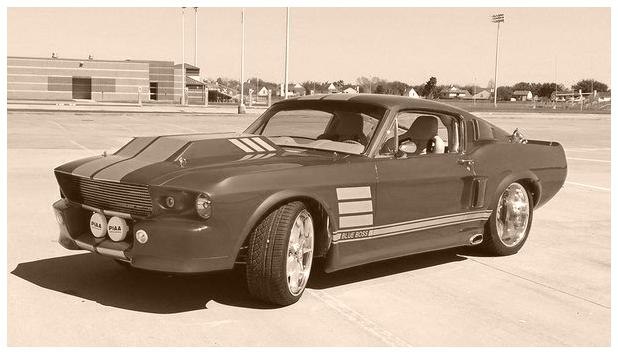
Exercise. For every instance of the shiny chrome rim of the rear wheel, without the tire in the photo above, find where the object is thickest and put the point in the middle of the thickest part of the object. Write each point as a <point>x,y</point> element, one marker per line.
<point>512,215</point>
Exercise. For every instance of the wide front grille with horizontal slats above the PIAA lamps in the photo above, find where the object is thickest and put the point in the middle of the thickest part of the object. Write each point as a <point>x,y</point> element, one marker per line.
<point>115,196</point>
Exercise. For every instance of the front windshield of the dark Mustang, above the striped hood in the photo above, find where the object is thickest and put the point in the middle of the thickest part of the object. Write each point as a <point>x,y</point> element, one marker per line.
<point>334,127</point>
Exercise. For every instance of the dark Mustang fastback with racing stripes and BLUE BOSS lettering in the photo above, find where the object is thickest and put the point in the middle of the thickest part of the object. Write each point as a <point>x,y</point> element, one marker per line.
<point>352,179</point>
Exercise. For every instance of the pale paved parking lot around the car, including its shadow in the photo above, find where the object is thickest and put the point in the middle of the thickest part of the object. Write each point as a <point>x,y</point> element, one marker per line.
<point>555,292</point>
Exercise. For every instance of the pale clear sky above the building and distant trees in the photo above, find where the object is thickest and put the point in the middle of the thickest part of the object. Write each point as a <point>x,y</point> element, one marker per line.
<point>456,45</point>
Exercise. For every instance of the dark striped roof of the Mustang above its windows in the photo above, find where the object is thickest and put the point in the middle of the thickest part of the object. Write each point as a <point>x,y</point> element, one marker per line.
<point>390,102</point>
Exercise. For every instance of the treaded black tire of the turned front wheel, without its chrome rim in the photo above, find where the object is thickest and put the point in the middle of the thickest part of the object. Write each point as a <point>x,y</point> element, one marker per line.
<point>267,256</point>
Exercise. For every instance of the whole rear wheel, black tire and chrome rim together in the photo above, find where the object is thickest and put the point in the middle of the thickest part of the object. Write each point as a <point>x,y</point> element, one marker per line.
<point>509,225</point>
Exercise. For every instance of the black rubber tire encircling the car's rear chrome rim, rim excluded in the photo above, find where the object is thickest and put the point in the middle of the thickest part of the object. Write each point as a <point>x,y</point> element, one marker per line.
<point>492,243</point>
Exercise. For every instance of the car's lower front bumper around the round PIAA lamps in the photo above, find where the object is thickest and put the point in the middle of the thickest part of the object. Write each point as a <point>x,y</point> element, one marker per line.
<point>174,245</point>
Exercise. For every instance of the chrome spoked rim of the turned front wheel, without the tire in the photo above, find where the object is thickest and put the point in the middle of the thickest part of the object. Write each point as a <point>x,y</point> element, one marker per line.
<point>300,253</point>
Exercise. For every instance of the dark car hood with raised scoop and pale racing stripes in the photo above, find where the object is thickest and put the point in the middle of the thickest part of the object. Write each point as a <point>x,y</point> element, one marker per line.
<point>168,160</point>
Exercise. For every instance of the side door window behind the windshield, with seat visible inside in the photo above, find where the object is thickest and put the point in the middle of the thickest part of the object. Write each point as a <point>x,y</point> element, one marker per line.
<point>422,133</point>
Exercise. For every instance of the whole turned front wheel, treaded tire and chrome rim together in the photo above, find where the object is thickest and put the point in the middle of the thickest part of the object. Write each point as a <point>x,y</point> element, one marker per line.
<point>280,255</point>
